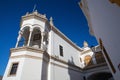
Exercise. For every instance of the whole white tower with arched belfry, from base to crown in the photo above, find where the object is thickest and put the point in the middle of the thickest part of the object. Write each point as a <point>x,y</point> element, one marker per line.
<point>27,58</point>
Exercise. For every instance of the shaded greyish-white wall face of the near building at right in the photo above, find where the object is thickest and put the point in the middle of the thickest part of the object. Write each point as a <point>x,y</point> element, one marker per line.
<point>105,18</point>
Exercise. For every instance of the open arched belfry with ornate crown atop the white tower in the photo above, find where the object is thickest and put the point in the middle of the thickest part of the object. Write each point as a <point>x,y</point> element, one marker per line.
<point>33,30</point>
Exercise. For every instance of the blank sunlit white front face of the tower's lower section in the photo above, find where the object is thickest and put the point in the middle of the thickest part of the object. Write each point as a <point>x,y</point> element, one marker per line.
<point>32,69</point>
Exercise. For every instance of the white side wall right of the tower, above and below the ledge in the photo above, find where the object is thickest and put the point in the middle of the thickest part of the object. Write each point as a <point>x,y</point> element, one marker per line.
<point>60,70</point>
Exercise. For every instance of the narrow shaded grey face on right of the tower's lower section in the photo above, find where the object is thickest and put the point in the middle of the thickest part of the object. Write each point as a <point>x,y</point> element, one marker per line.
<point>45,63</point>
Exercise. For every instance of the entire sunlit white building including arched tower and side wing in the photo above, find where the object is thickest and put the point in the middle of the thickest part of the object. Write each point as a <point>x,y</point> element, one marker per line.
<point>42,52</point>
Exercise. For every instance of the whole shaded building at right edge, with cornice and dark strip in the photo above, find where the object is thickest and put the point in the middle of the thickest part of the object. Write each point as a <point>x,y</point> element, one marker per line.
<point>103,18</point>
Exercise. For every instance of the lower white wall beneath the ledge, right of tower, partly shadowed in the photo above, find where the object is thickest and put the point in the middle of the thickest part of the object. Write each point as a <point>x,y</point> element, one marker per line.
<point>65,72</point>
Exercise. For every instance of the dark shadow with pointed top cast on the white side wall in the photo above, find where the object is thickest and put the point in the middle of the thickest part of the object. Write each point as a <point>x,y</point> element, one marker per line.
<point>74,71</point>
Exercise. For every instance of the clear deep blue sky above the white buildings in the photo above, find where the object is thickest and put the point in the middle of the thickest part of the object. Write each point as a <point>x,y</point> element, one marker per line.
<point>67,16</point>
